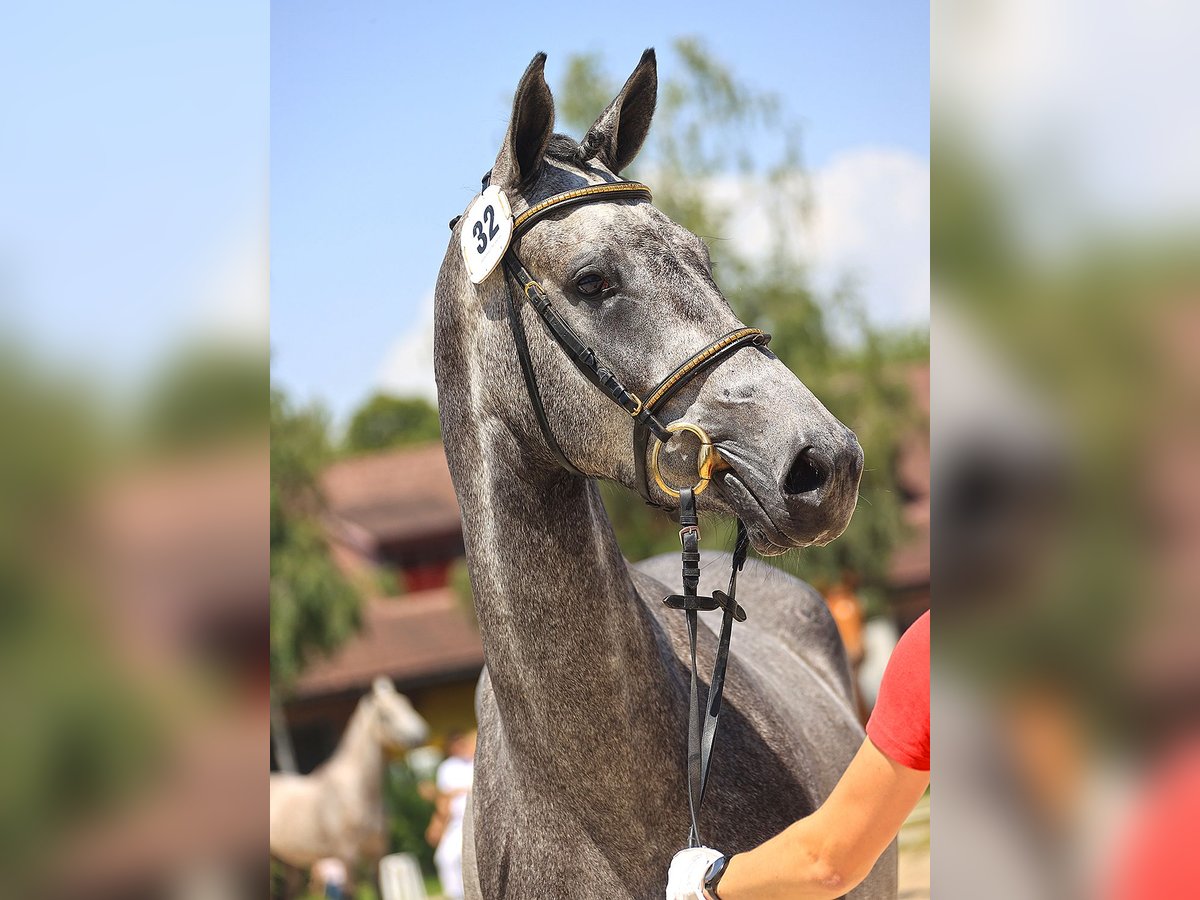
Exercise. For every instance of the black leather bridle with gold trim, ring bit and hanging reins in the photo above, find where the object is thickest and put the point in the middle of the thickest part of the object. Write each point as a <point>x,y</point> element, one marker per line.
<point>701,722</point>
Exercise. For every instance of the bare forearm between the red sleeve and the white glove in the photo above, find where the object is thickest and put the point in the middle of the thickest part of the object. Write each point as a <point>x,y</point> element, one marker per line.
<point>829,854</point>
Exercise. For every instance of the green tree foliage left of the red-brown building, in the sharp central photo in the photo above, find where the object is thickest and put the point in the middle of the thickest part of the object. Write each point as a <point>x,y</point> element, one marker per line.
<point>314,607</point>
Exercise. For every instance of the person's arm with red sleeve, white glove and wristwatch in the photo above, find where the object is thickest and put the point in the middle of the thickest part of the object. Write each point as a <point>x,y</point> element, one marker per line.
<point>829,854</point>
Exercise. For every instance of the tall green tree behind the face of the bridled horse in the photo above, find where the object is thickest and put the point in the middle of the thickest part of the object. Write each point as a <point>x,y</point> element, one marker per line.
<point>712,128</point>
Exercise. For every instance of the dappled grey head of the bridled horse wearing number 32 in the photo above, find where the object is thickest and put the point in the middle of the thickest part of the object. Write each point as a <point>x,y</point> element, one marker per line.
<point>640,290</point>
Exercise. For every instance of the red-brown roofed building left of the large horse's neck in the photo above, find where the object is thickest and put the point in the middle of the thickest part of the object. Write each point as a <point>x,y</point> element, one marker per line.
<point>395,529</point>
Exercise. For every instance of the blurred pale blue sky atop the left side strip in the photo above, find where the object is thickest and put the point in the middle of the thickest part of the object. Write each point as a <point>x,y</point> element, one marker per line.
<point>133,176</point>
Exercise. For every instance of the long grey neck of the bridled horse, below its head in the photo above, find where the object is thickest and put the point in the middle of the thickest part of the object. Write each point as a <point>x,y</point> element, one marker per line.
<point>572,652</point>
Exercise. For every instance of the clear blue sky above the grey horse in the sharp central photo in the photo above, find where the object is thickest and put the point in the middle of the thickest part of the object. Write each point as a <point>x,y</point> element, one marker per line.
<point>385,117</point>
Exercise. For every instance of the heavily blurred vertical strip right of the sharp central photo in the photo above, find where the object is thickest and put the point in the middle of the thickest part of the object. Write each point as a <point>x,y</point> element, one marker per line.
<point>1066,442</point>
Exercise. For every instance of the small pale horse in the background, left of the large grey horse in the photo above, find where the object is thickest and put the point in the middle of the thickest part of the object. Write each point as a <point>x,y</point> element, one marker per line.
<point>338,811</point>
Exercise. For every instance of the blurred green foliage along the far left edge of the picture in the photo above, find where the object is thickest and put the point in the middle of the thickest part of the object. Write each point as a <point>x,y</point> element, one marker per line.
<point>82,735</point>
